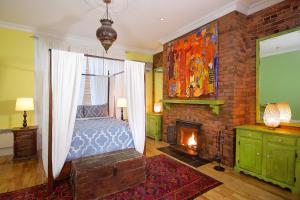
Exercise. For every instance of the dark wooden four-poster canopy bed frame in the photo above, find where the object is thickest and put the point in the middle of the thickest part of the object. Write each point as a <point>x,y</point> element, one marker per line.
<point>65,172</point>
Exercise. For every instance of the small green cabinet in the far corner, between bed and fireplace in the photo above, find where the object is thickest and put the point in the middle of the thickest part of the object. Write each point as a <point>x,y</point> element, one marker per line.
<point>154,125</point>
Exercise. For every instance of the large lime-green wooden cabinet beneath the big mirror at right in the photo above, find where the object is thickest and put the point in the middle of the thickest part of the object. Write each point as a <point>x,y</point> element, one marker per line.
<point>271,155</point>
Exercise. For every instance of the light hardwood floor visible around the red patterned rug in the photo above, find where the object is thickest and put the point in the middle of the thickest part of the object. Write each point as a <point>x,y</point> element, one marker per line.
<point>22,174</point>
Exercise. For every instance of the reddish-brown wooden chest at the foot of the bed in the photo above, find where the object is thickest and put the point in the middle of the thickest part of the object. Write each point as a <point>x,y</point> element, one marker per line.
<point>101,175</point>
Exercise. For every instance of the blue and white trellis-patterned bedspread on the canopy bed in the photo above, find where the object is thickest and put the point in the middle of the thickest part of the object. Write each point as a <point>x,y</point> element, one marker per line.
<point>96,136</point>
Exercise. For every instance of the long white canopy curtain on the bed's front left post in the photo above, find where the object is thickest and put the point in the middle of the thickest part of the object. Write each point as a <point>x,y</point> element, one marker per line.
<point>66,76</point>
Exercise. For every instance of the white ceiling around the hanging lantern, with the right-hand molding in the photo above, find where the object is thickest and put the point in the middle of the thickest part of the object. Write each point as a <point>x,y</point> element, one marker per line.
<point>138,22</point>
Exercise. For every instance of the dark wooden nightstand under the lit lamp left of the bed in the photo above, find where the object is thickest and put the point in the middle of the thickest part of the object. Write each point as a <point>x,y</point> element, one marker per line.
<point>25,142</point>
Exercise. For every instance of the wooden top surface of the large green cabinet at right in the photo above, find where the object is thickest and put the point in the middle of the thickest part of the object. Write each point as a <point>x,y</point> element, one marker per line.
<point>281,131</point>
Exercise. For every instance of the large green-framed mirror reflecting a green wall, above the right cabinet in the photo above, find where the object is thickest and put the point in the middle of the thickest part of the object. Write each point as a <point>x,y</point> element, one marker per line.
<point>278,72</point>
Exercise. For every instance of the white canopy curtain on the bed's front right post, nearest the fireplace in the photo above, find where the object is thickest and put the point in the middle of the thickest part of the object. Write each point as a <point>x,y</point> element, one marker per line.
<point>134,81</point>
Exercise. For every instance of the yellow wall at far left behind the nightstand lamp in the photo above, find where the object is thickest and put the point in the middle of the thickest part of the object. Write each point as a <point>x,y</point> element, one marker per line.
<point>16,75</point>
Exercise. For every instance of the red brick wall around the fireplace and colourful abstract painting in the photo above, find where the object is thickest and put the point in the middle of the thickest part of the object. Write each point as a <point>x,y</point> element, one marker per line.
<point>237,36</point>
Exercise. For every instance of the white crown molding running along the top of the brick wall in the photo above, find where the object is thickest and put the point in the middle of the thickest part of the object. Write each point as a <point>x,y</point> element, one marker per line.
<point>236,5</point>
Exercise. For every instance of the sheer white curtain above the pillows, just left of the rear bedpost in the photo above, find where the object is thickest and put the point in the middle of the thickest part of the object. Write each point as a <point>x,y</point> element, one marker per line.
<point>99,83</point>
